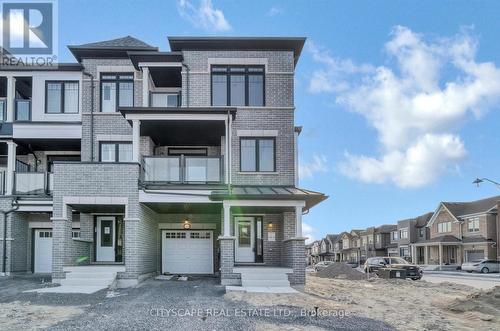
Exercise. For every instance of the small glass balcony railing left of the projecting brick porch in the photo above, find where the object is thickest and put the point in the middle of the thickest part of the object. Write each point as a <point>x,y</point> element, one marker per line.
<point>33,183</point>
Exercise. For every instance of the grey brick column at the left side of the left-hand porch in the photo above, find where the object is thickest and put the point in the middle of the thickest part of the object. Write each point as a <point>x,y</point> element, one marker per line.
<point>61,244</point>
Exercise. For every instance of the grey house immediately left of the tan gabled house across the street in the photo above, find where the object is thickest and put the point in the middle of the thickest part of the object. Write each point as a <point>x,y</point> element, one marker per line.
<point>408,232</point>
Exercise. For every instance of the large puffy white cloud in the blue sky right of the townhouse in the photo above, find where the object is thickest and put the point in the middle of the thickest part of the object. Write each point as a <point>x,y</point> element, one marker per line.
<point>417,107</point>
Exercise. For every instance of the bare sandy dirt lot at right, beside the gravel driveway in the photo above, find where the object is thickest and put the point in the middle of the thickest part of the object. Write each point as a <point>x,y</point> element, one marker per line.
<point>403,304</point>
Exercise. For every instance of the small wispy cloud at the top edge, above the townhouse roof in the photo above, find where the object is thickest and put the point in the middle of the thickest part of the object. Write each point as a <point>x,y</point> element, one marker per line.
<point>203,16</point>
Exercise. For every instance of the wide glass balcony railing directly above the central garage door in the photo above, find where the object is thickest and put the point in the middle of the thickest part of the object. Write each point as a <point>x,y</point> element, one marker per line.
<point>182,169</point>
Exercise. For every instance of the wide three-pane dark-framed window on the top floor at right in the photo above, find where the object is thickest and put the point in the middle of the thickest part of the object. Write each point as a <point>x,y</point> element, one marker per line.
<point>245,73</point>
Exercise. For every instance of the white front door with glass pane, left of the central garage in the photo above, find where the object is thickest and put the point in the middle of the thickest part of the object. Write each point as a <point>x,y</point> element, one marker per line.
<point>105,239</point>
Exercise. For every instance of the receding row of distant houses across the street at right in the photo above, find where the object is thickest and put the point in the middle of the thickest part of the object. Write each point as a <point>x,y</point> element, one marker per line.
<point>454,233</point>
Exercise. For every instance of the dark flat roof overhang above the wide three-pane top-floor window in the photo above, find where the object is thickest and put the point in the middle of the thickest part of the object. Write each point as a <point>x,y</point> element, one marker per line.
<point>294,44</point>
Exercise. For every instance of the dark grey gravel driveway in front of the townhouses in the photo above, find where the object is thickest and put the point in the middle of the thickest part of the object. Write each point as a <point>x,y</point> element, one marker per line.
<point>197,304</point>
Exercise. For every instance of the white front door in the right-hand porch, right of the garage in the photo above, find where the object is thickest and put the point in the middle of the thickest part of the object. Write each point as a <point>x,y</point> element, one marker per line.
<point>245,239</point>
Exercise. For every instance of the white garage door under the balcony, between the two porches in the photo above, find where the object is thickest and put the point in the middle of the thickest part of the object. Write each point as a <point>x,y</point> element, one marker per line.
<point>187,252</point>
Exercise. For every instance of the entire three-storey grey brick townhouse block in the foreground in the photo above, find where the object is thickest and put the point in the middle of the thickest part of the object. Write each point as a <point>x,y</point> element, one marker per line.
<point>180,161</point>
